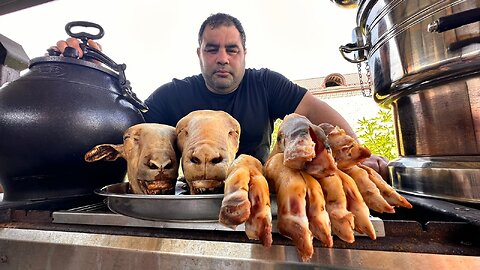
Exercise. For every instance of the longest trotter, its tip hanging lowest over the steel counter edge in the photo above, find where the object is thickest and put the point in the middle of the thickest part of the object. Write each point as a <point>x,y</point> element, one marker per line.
<point>291,214</point>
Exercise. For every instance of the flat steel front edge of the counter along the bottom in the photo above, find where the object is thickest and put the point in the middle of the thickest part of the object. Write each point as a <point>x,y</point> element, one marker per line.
<point>43,249</point>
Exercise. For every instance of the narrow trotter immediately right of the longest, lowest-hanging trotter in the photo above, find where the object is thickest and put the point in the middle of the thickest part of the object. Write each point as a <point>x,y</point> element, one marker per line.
<point>319,222</point>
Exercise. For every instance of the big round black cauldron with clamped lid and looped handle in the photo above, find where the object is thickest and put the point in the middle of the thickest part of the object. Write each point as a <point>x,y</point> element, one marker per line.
<point>51,116</point>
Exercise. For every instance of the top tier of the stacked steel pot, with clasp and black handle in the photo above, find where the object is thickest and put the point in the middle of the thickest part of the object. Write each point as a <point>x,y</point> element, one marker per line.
<point>403,49</point>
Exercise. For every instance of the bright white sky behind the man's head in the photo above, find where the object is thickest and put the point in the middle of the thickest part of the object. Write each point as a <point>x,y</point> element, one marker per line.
<point>157,39</point>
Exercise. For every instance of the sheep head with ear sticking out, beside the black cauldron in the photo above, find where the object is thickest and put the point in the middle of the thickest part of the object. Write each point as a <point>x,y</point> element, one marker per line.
<point>151,155</point>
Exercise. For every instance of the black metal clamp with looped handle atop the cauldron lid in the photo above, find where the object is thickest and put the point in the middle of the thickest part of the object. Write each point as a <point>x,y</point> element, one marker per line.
<point>90,53</point>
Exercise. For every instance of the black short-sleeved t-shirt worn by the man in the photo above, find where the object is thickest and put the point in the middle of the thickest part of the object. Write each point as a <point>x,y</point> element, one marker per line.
<point>262,97</point>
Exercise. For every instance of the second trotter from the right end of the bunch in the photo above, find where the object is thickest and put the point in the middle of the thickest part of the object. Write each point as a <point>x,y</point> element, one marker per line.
<point>368,189</point>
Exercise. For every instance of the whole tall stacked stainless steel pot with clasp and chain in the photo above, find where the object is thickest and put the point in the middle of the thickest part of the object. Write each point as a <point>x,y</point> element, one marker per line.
<point>424,58</point>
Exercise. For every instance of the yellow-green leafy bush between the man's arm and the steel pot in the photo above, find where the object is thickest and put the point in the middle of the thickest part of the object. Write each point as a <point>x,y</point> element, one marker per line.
<point>378,134</point>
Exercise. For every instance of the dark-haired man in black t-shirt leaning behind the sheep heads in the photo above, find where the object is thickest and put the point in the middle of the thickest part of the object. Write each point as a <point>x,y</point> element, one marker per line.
<point>255,97</point>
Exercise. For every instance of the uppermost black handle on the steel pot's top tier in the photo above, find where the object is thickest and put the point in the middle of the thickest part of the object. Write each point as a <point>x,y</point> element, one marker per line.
<point>454,21</point>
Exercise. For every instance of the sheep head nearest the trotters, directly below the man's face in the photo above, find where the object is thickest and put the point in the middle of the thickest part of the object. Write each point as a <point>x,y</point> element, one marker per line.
<point>208,141</point>
